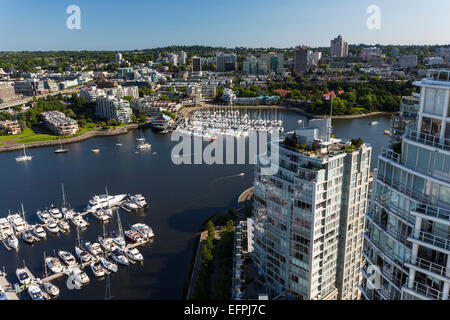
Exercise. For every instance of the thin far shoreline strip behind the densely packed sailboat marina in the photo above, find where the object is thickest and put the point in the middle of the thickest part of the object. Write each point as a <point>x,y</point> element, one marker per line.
<point>189,110</point>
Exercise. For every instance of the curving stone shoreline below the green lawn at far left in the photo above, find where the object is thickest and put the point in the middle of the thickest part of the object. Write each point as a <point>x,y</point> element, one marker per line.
<point>81,137</point>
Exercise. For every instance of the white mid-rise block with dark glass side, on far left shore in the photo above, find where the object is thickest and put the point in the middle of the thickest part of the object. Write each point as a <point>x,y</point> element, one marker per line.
<point>113,108</point>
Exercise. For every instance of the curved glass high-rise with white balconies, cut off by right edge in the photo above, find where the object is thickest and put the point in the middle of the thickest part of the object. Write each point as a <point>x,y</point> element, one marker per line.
<point>408,223</point>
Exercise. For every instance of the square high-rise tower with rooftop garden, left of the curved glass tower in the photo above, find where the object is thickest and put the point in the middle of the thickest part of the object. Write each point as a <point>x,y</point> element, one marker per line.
<point>309,216</point>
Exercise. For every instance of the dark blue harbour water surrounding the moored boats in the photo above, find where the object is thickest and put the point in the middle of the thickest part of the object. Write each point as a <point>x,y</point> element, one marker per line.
<point>181,198</point>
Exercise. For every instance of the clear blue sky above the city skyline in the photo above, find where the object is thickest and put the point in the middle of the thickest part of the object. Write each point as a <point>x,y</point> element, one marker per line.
<point>139,24</point>
